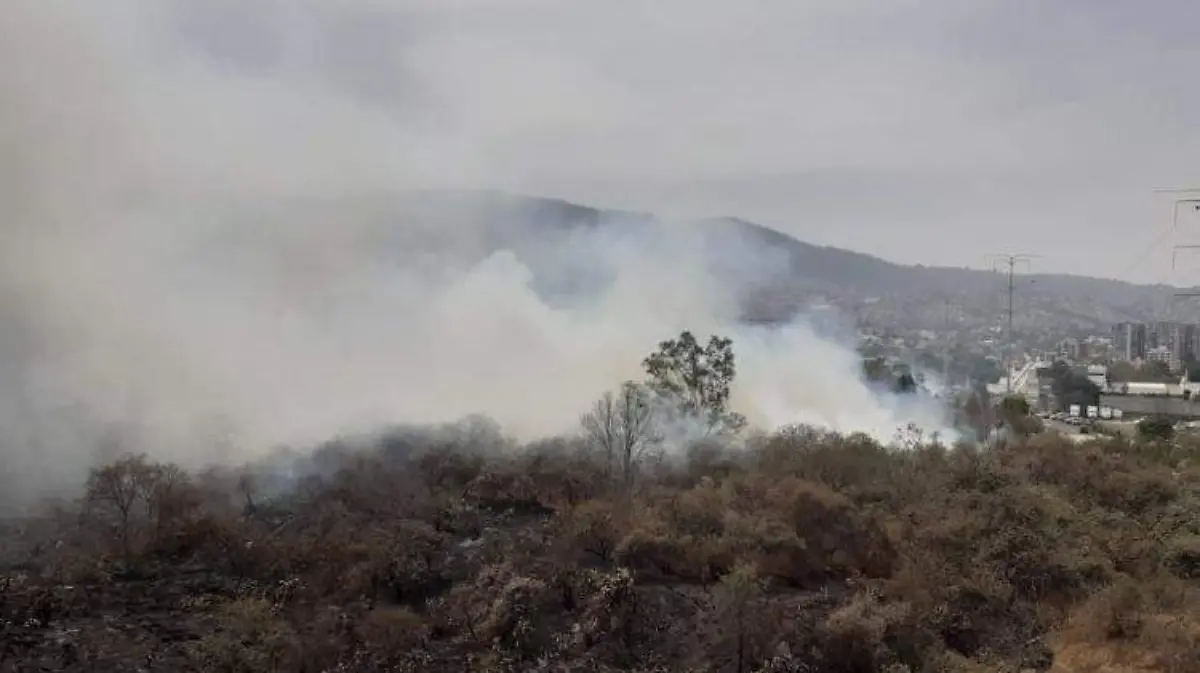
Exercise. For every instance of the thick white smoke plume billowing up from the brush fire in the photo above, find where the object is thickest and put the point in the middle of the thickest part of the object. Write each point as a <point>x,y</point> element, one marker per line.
<point>201,259</point>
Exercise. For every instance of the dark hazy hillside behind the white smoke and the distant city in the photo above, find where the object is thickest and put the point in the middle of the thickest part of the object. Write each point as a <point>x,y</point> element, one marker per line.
<point>865,285</point>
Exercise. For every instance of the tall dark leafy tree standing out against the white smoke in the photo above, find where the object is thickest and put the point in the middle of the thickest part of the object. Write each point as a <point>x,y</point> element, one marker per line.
<point>697,377</point>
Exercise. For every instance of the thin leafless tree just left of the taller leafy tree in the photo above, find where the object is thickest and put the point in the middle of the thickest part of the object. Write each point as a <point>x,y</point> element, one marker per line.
<point>622,426</point>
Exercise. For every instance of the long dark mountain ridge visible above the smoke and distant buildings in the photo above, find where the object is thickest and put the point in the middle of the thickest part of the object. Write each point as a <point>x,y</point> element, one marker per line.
<point>851,279</point>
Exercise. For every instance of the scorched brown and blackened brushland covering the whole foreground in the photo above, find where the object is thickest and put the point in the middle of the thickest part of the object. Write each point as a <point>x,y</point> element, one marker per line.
<point>458,550</point>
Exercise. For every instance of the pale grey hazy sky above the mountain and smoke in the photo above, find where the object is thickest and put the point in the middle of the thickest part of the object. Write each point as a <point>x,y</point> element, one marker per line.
<point>932,131</point>
